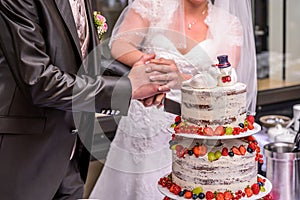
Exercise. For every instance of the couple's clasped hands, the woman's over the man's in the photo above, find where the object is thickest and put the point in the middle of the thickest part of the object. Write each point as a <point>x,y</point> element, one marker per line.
<point>151,78</point>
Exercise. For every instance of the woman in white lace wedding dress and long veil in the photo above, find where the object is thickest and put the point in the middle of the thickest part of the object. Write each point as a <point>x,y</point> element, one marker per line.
<point>189,34</point>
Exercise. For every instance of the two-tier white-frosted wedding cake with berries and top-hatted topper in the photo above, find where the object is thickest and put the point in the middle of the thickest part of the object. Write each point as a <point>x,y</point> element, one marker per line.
<point>214,106</point>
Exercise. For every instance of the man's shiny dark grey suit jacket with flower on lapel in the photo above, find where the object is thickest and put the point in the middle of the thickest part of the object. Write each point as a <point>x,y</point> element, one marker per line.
<point>39,57</point>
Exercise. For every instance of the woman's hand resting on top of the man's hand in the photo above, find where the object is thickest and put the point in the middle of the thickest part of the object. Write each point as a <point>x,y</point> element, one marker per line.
<point>171,77</point>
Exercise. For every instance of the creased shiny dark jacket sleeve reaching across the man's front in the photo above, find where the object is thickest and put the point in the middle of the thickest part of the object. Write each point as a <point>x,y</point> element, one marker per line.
<point>43,83</point>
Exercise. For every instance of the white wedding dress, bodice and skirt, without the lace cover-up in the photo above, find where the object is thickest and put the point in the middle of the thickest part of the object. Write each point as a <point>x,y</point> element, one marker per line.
<point>139,154</point>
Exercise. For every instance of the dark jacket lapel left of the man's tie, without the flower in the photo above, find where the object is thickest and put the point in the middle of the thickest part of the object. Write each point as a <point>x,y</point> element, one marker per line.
<point>67,15</point>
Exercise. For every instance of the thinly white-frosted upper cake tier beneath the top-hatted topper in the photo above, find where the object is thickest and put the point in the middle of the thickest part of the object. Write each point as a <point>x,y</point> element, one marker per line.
<point>215,106</point>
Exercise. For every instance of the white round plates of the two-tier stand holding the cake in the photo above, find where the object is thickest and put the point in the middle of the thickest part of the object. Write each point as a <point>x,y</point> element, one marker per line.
<point>257,128</point>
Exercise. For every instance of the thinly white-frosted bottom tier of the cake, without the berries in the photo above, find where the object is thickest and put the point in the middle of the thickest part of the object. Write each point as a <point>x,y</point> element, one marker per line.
<point>227,173</point>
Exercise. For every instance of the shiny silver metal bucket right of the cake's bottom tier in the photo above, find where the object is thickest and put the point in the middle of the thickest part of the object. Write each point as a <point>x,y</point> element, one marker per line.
<point>283,167</point>
